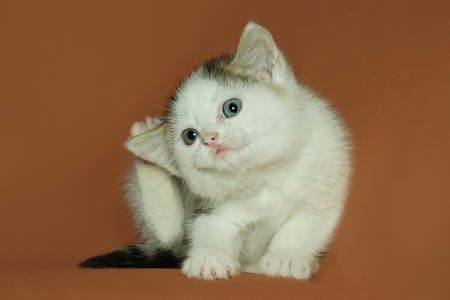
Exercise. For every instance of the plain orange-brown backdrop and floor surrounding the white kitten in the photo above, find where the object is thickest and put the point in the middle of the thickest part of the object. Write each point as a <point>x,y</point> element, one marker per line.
<point>74,75</point>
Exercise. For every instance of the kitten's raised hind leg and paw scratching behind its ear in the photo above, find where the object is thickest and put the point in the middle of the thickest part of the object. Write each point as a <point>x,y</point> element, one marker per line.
<point>155,202</point>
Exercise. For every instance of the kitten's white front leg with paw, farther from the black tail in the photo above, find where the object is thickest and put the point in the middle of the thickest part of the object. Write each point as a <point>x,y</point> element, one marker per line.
<point>296,246</point>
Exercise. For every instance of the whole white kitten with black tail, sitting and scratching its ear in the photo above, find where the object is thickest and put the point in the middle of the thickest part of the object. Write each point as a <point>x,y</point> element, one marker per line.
<point>247,172</point>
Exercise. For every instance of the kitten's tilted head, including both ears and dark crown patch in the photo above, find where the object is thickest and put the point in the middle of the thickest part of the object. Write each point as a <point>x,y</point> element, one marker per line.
<point>230,115</point>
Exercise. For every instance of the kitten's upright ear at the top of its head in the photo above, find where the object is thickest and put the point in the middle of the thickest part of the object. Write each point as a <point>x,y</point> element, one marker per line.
<point>257,51</point>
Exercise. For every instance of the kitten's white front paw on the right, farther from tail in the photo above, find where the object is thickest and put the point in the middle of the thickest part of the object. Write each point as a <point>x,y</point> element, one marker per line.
<point>285,264</point>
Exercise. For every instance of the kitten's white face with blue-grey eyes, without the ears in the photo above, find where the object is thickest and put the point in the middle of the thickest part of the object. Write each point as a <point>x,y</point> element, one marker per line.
<point>226,126</point>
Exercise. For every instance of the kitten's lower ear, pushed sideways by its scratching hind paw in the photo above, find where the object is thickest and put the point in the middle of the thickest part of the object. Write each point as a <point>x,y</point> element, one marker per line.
<point>154,146</point>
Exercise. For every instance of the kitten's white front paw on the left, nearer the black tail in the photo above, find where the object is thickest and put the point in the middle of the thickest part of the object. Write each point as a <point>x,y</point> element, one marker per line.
<point>210,265</point>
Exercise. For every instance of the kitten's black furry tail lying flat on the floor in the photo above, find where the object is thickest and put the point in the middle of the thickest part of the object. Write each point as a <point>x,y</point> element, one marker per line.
<point>133,257</point>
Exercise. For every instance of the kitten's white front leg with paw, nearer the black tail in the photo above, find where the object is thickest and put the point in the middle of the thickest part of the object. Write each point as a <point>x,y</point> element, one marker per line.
<point>216,243</point>
